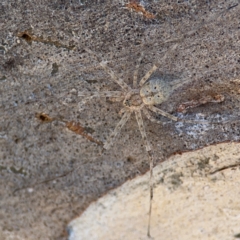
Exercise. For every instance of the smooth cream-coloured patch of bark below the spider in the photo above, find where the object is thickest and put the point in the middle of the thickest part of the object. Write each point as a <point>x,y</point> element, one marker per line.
<point>195,197</point>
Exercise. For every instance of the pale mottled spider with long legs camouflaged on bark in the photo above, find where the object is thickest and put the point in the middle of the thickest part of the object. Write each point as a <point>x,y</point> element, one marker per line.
<point>137,99</point>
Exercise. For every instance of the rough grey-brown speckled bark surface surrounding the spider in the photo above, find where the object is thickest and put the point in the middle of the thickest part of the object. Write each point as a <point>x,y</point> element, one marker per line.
<point>50,174</point>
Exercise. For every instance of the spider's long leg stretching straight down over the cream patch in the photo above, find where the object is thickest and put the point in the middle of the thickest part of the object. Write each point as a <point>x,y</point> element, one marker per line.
<point>150,156</point>
